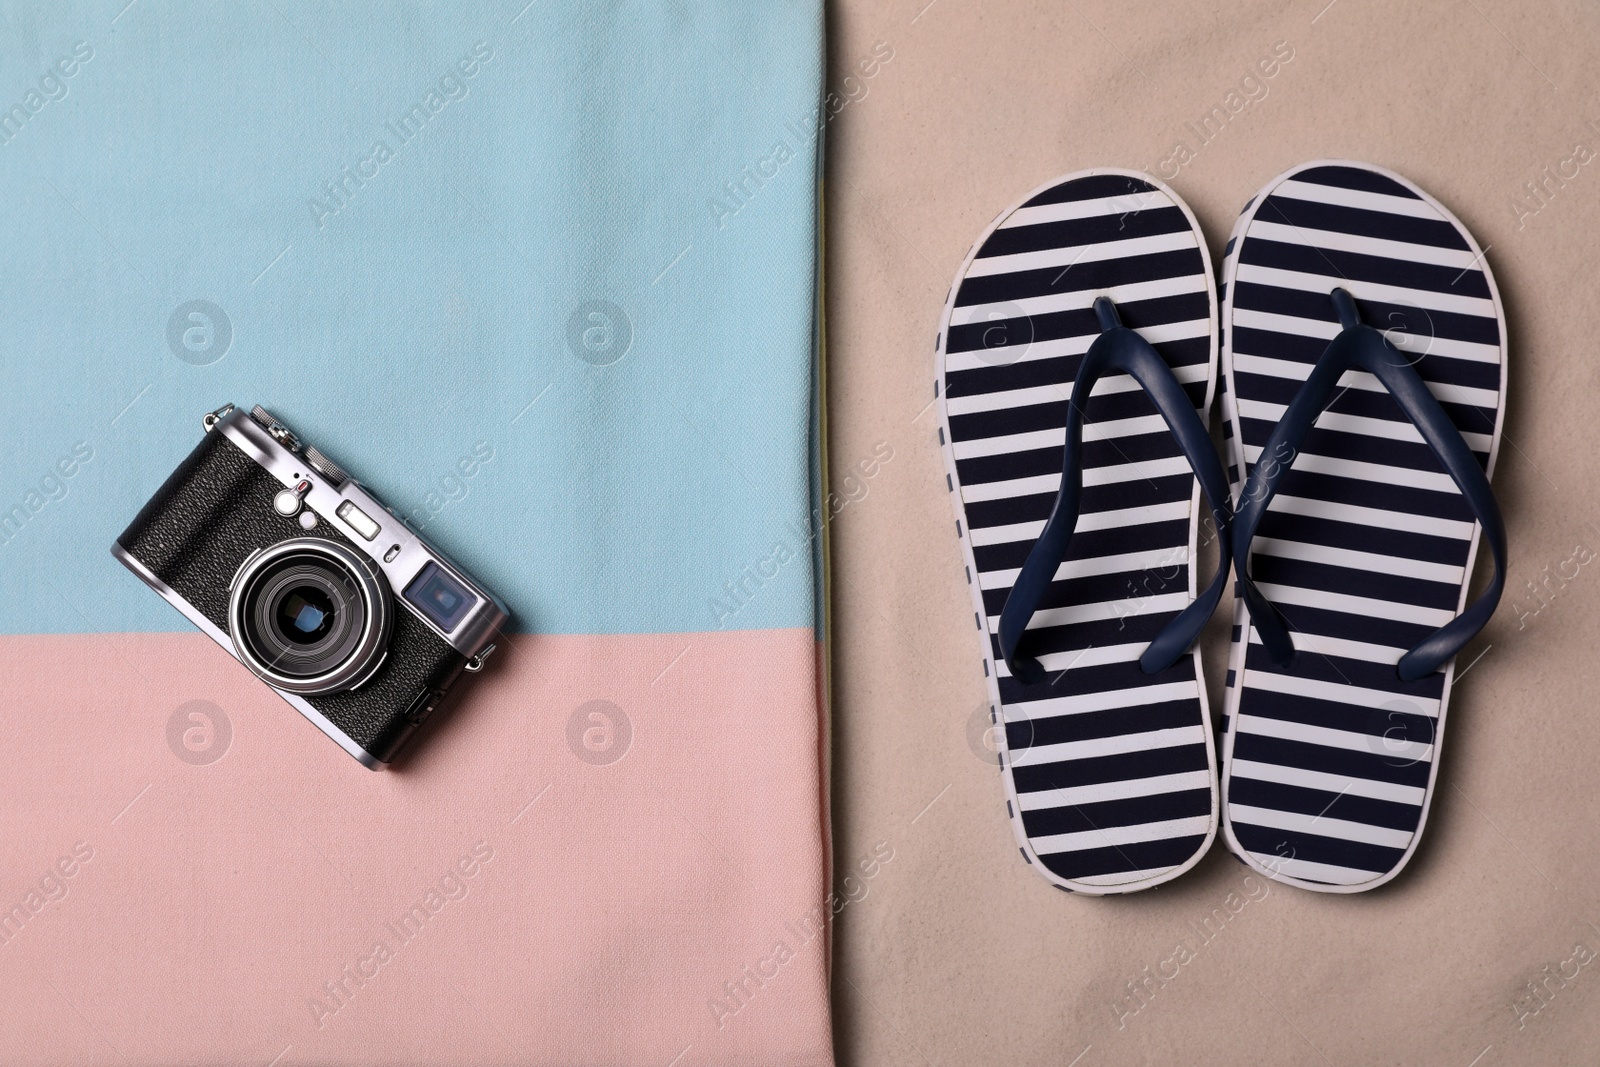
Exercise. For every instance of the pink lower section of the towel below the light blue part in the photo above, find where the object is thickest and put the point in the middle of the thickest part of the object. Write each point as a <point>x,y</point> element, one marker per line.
<point>612,853</point>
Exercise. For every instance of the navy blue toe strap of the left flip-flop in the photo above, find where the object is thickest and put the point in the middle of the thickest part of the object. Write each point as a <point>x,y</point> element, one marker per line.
<point>1118,351</point>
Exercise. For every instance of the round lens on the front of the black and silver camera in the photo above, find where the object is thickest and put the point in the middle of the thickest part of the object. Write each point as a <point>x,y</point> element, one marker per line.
<point>311,617</point>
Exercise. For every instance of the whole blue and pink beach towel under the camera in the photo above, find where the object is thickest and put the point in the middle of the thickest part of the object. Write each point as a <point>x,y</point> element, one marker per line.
<point>543,276</point>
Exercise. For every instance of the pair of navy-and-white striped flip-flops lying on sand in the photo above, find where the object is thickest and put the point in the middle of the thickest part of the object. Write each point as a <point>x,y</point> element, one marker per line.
<point>1362,377</point>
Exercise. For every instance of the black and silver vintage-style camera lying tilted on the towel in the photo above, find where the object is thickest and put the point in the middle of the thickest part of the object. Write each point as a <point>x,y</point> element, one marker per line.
<point>295,569</point>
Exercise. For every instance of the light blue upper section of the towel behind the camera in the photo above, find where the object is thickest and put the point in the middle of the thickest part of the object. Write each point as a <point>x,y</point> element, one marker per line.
<point>545,278</point>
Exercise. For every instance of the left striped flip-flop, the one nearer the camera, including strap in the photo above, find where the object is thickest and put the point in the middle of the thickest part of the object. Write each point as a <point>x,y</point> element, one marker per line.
<point>1081,340</point>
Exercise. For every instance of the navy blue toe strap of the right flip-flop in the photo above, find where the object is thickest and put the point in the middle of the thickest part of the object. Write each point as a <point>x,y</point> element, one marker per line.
<point>1366,350</point>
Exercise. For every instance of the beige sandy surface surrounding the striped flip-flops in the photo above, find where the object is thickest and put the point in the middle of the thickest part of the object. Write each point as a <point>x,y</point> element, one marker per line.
<point>958,953</point>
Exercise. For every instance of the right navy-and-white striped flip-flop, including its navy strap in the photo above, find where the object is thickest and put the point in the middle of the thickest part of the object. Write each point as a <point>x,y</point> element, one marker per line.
<point>1364,354</point>
